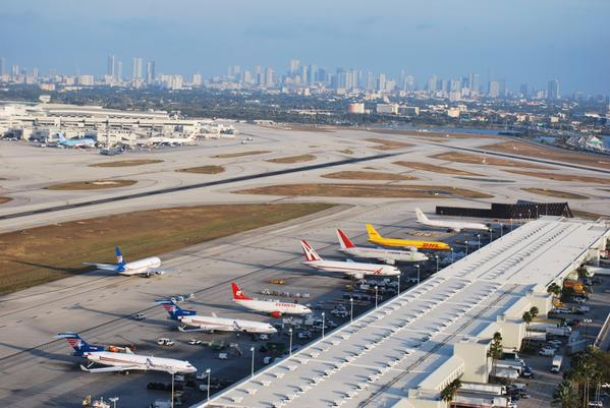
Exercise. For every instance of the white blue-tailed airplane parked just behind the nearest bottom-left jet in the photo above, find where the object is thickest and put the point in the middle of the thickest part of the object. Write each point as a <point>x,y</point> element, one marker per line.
<point>190,318</point>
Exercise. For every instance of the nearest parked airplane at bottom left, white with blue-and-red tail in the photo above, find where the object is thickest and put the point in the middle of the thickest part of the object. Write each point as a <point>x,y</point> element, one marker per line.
<point>122,362</point>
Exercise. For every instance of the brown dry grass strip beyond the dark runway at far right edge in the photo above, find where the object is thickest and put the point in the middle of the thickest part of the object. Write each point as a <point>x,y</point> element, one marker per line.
<point>550,153</point>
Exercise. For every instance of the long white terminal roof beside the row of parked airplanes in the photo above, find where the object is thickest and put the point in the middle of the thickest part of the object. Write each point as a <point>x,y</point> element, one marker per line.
<point>399,346</point>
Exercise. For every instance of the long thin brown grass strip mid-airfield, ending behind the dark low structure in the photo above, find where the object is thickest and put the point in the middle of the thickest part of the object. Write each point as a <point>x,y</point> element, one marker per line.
<point>365,190</point>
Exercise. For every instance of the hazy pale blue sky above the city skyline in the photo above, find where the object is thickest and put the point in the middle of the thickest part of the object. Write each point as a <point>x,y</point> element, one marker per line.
<point>519,40</point>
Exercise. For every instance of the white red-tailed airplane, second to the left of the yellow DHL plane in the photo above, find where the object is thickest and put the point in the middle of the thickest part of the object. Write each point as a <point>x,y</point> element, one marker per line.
<point>356,270</point>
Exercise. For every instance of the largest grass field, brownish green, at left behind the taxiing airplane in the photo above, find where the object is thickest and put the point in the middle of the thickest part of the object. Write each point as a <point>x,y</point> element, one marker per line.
<point>34,256</point>
